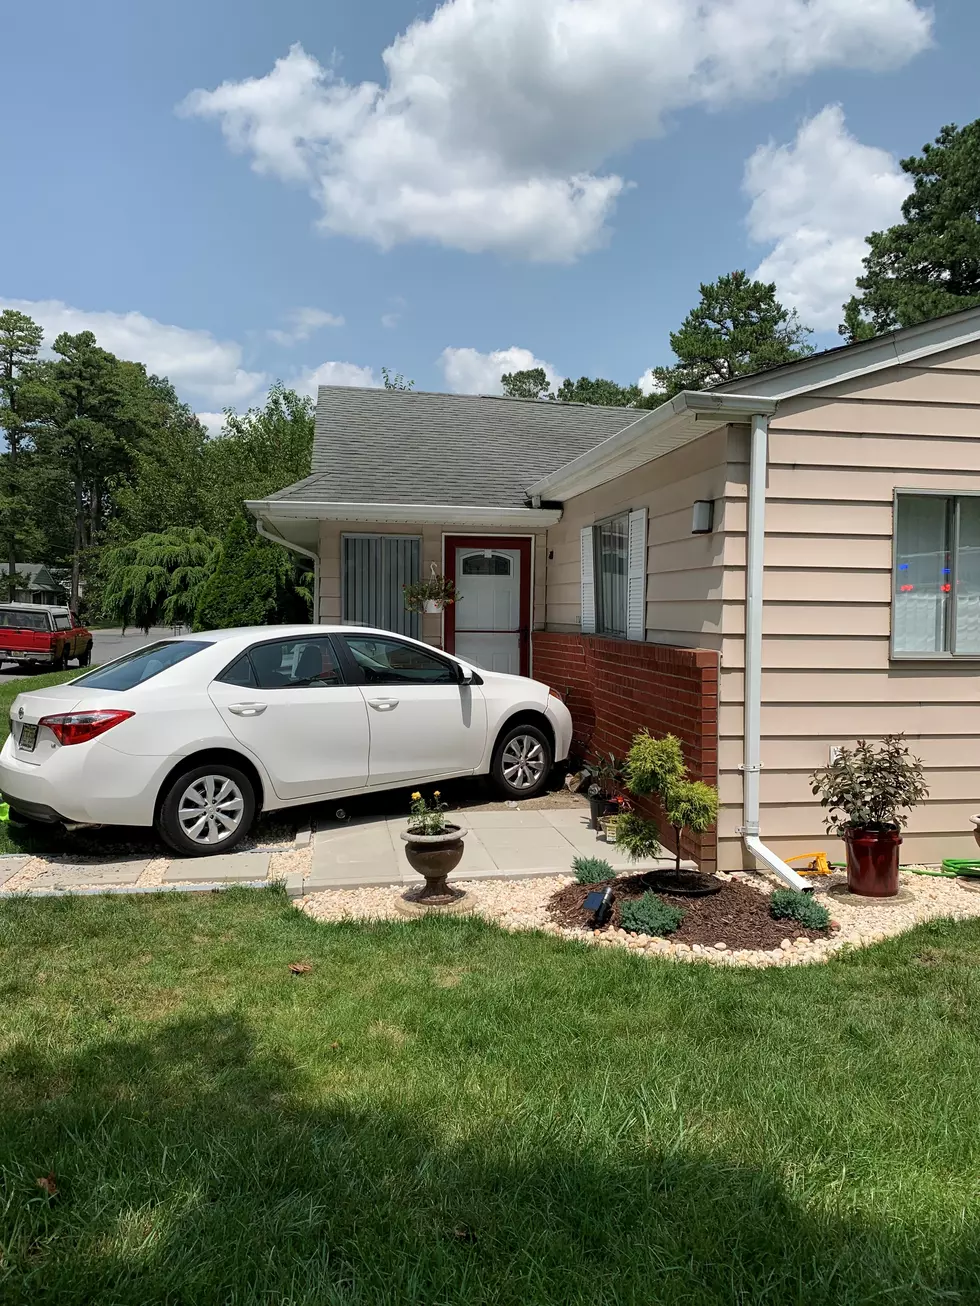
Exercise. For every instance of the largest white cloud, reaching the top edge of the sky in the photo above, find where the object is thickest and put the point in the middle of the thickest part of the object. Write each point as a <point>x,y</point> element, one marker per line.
<point>497,116</point>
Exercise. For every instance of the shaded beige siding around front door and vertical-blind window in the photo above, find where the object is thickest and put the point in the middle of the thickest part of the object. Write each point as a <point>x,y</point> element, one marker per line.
<point>432,536</point>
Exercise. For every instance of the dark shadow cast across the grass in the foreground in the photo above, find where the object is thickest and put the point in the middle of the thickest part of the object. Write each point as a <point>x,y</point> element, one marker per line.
<point>194,1166</point>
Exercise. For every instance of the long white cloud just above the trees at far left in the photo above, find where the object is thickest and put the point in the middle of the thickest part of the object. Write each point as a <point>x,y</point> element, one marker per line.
<point>195,361</point>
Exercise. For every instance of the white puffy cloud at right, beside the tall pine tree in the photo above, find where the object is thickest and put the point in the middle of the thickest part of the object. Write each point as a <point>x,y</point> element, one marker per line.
<point>816,200</point>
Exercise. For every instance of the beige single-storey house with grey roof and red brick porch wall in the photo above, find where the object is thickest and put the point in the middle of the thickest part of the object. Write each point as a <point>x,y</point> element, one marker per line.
<point>770,570</point>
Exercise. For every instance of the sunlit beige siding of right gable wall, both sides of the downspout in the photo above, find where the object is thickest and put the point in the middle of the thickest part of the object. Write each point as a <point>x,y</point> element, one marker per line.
<point>836,463</point>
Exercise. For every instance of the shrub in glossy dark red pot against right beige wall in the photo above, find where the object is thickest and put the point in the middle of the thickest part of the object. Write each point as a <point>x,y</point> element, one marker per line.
<point>868,792</point>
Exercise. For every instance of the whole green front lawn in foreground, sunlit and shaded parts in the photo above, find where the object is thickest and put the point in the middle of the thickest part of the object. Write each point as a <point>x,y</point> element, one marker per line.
<point>442,1113</point>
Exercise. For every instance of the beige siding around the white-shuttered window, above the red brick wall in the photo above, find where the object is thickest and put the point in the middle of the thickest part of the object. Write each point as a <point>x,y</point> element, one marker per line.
<point>685,575</point>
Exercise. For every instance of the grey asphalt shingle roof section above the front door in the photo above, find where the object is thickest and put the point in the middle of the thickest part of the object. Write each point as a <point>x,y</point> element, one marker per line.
<point>463,450</point>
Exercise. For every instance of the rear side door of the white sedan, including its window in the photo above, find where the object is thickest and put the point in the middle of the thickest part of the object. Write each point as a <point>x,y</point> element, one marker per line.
<point>287,703</point>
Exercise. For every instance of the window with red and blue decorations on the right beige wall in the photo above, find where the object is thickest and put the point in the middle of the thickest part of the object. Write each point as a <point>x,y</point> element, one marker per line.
<point>936,600</point>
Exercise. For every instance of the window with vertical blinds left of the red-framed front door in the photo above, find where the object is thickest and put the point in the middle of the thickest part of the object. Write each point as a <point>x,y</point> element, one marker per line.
<point>376,571</point>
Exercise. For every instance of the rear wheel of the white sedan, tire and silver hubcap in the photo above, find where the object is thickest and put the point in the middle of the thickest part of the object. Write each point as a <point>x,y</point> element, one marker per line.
<point>232,799</point>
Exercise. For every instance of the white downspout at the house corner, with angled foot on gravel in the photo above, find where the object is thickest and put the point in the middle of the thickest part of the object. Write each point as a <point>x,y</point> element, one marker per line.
<point>755,573</point>
